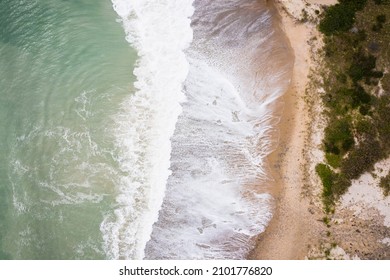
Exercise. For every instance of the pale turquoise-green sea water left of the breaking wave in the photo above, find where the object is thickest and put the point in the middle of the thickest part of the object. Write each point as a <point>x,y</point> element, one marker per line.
<point>65,67</point>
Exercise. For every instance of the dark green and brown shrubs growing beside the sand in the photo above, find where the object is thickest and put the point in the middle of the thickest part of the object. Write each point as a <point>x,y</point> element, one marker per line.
<point>356,94</point>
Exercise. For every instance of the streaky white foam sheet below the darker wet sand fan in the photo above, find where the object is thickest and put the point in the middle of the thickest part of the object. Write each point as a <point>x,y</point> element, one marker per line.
<point>211,210</point>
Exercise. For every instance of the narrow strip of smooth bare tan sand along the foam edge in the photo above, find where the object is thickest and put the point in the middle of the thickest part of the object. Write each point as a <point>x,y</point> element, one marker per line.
<point>296,224</point>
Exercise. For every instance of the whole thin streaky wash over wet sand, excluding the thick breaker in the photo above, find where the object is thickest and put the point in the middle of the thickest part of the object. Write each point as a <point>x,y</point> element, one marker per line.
<point>214,202</point>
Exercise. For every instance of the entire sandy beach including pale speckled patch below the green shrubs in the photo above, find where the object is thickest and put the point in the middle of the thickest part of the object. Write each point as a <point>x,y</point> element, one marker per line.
<point>299,229</point>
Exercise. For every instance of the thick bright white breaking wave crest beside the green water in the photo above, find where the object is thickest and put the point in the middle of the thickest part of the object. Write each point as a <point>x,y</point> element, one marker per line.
<point>159,30</point>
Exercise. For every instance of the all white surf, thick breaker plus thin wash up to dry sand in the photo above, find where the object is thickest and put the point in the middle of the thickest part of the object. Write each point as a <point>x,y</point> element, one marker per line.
<point>195,134</point>
